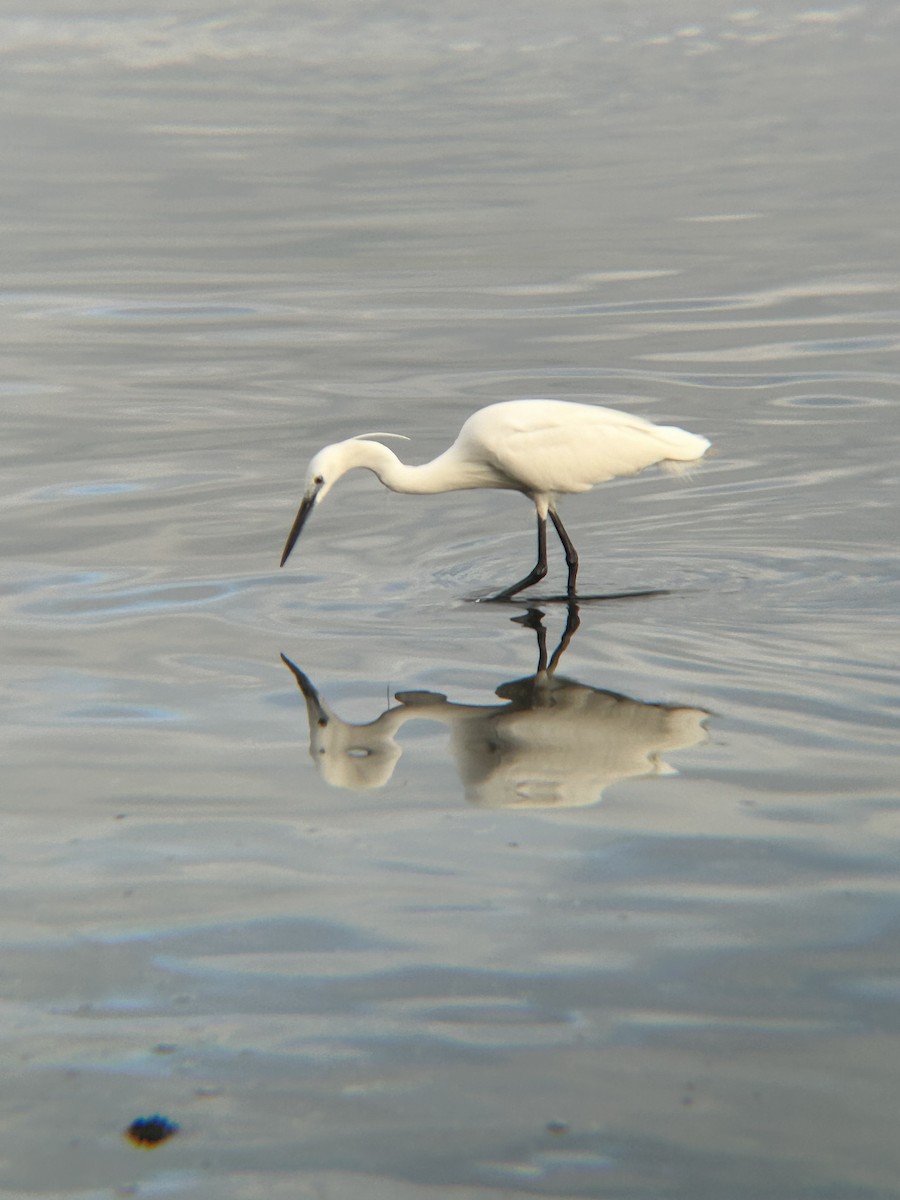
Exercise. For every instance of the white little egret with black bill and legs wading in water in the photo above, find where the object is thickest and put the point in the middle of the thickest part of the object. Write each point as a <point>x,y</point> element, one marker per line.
<point>542,448</point>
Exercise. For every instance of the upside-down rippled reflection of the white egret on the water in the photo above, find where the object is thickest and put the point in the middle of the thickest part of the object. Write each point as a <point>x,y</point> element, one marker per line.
<point>551,743</point>
